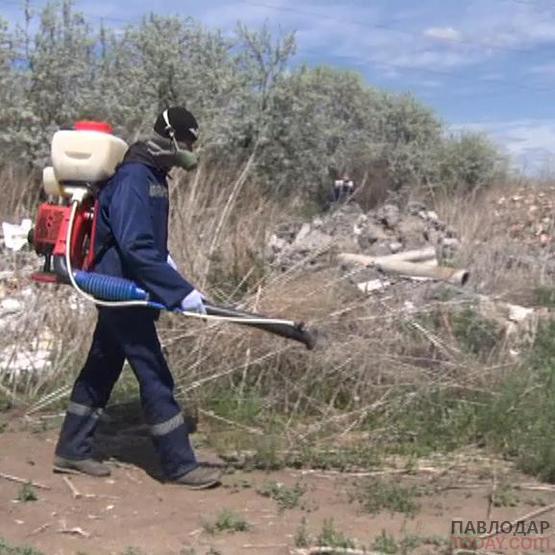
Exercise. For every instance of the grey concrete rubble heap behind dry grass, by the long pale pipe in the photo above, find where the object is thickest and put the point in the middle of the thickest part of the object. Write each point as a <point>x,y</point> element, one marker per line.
<point>385,234</point>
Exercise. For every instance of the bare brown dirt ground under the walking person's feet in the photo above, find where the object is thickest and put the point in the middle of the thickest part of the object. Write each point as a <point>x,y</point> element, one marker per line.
<point>133,512</point>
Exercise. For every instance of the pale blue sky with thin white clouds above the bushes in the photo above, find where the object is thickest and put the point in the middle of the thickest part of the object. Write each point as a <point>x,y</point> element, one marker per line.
<point>481,64</point>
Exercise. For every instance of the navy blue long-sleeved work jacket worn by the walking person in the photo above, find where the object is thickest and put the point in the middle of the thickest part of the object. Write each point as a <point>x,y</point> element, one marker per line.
<point>132,233</point>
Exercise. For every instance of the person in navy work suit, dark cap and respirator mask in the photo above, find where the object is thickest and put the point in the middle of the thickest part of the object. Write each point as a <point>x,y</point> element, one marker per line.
<point>131,242</point>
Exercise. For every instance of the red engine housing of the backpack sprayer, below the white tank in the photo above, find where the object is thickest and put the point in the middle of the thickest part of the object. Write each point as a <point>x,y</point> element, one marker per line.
<point>50,236</point>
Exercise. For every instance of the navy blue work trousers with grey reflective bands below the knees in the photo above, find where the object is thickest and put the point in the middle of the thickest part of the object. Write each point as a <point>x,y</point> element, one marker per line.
<point>127,333</point>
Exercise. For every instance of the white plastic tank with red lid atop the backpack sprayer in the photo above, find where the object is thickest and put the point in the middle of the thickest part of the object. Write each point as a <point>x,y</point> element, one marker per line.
<point>86,154</point>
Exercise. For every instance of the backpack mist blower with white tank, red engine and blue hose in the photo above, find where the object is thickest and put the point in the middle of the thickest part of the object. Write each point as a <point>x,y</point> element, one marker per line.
<point>83,158</point>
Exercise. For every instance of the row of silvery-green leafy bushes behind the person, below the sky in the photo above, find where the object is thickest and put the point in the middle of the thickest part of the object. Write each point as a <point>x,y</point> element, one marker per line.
<point>300,125</point>
